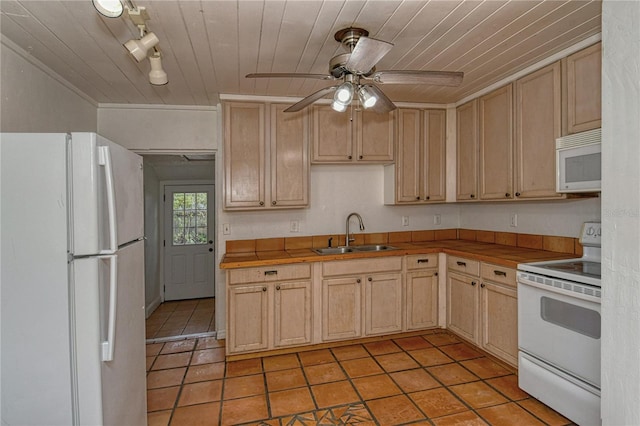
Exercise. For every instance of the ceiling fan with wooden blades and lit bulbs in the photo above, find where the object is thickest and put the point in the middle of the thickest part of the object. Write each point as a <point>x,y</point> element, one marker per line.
<point>357,67</point>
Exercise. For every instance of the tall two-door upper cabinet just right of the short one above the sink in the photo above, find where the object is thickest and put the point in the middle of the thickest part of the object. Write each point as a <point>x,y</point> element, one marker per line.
<point>419,173</point>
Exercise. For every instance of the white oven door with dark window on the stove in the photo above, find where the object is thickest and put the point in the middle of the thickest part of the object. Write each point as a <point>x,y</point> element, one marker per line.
<point>560,326</point>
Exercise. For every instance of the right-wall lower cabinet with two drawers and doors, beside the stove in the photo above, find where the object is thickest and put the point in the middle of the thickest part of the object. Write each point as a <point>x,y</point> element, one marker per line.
<point>482,306</point>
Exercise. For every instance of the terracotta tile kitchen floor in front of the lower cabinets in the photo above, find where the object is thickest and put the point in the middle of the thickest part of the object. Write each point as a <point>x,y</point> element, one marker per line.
<point>430,379</point>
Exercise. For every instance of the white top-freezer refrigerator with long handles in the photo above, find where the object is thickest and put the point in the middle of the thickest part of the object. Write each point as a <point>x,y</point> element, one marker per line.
<point>72,281</point>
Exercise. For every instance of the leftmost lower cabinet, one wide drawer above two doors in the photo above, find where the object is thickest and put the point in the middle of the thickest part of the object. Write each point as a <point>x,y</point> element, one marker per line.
<point>268,308</point>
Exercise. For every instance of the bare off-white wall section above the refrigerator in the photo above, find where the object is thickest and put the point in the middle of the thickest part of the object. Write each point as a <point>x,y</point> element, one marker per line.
<point>36,99</point>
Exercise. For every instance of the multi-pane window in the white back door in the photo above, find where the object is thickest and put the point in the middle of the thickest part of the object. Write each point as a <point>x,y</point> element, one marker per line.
<point>190,218</point>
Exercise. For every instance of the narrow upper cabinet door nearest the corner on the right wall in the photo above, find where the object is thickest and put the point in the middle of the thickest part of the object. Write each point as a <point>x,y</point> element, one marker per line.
<point>467,151</point>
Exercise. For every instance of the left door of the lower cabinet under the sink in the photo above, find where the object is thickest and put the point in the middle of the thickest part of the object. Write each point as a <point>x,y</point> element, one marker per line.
<point>341,308</point>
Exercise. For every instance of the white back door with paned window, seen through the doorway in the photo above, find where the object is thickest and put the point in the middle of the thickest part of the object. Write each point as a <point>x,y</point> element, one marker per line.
<point>189,252</point>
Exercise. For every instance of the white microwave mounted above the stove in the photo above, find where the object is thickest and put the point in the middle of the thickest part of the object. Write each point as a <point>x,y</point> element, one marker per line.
<point>578,162</point>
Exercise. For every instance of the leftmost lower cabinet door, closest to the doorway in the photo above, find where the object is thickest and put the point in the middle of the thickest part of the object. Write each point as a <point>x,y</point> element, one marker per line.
<point>247,318</point>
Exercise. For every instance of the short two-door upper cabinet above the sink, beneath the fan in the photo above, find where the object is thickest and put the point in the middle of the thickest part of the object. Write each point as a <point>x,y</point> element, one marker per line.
<point>352,136</point>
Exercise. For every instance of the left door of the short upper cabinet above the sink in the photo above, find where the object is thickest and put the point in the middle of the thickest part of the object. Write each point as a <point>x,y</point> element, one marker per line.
<point>332,135</point>
